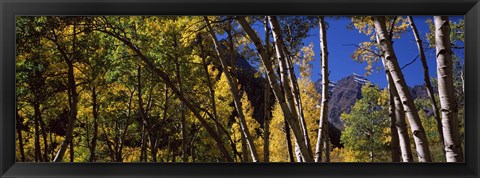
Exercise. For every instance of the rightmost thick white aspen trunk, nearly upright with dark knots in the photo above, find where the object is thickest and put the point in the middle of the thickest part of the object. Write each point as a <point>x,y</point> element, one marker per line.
<point>446,90</point>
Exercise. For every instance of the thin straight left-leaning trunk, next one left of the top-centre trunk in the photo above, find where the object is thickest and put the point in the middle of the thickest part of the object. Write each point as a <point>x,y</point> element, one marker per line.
<point>236,98</point>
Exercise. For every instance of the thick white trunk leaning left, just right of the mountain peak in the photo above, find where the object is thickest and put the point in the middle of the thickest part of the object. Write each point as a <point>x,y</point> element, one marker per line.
<point>391,64</point>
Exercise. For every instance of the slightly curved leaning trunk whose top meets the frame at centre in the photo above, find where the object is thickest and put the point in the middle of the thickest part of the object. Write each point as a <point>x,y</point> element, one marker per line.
<point>292,121</point>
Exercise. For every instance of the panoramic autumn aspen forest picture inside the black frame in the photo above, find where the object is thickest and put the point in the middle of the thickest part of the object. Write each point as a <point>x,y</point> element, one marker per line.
<point>239,89</point>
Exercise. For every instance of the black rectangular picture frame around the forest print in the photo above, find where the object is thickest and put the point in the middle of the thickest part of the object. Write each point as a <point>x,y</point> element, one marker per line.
<point>11,8</point>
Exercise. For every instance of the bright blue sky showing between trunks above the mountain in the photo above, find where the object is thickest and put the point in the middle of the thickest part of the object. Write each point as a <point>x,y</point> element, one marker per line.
<point>341,64</point>
